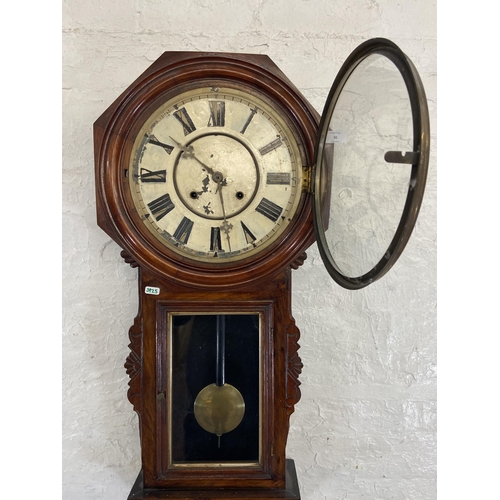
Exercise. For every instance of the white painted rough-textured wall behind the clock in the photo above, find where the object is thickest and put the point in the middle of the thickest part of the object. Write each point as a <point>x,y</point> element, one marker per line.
<point>366,424</point>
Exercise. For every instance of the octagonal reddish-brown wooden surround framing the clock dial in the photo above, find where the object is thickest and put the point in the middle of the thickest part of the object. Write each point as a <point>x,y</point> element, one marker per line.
<point>172,74</point>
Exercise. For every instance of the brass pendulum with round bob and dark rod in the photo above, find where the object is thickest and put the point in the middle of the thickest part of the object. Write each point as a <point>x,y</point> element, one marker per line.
<point>219,407</point>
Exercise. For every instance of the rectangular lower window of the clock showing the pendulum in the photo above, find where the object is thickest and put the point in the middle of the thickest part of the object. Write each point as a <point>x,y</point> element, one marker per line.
<point>197,365</point>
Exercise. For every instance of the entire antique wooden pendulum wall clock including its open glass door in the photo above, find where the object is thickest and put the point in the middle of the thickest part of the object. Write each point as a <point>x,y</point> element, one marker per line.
<point>214,174</point>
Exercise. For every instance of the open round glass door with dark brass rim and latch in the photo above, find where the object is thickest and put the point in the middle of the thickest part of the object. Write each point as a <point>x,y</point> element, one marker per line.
<point>371,162</point>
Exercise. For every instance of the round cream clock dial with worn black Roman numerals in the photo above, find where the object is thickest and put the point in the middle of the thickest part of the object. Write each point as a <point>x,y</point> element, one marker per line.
<point>215,174</point>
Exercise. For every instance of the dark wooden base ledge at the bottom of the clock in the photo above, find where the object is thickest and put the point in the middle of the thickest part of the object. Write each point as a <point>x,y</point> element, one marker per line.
<point>291,492</point>
